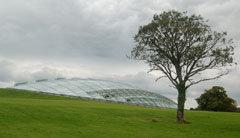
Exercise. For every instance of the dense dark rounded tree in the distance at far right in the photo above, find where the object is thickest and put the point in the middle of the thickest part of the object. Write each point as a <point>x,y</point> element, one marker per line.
<point>216,99</point>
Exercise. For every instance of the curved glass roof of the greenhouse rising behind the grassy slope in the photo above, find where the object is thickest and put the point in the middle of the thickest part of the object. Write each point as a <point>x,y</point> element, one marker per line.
<point>99,90</point>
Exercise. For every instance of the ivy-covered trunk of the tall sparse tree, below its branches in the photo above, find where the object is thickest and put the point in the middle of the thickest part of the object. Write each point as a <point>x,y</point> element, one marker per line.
<point>181,102</point>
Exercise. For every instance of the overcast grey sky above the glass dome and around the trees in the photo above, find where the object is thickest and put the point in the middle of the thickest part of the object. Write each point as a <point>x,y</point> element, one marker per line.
<point>90,39</point>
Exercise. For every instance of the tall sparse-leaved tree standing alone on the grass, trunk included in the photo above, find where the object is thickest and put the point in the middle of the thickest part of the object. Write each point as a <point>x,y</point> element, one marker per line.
<point>182,47</point>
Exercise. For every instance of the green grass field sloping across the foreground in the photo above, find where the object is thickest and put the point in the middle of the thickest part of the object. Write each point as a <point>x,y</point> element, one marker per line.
<point>30,115</point>
